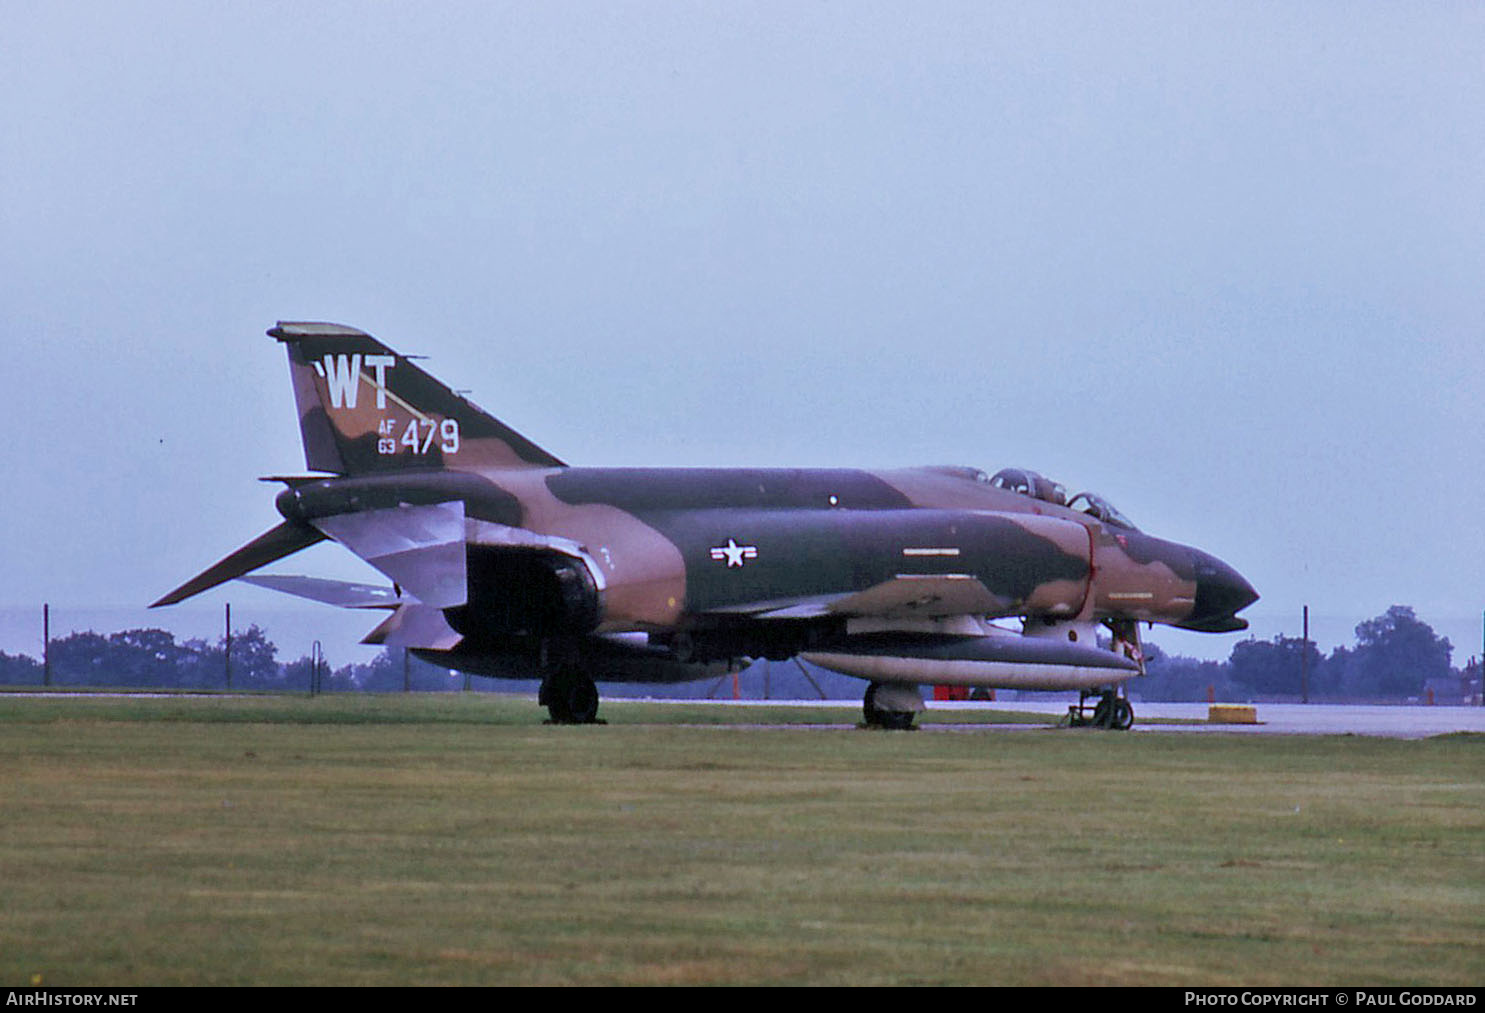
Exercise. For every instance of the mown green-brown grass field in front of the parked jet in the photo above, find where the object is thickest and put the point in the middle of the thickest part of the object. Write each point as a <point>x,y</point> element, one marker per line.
<point>458,841</point>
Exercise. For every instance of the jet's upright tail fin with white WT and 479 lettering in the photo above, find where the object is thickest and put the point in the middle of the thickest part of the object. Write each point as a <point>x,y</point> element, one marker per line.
<point>366,409</point>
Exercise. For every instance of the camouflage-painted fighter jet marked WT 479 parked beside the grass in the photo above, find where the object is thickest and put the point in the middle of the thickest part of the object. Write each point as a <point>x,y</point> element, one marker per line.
<point>507,562</point>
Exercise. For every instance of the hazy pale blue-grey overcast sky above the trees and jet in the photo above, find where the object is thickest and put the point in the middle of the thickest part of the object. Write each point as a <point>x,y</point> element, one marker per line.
<point>1218,262</point>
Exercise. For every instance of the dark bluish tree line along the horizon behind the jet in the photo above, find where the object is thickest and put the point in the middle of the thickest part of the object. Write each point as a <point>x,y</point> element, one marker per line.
<point>1395,657</point>
